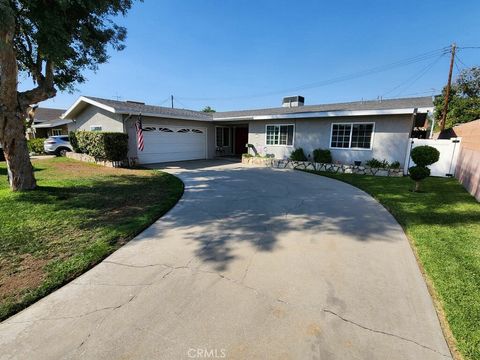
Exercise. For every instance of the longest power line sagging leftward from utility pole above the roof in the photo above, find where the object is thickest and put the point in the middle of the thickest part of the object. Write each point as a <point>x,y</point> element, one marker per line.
<point>374,70</point>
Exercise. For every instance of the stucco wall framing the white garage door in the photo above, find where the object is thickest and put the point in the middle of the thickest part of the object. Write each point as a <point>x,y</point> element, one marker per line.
<point>154,121</point>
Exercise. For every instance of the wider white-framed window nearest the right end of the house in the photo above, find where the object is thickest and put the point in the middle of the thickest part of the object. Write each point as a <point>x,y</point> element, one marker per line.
<point>352,136</point>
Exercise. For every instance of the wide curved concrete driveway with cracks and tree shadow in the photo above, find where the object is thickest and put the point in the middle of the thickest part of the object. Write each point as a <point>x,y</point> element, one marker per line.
<point>252,263</point>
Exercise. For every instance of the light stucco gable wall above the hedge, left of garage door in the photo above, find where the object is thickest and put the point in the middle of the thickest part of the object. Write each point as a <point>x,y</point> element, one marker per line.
<point>93,115</point>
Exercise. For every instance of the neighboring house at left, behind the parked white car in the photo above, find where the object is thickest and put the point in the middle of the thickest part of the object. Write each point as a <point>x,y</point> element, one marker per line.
<point>48,122</point>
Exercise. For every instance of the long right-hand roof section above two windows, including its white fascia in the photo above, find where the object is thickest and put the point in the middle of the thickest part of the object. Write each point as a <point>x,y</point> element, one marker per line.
<point>405,105</point>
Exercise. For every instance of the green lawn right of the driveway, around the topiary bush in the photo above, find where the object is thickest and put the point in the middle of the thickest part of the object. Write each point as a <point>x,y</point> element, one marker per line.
<point>443,224</point>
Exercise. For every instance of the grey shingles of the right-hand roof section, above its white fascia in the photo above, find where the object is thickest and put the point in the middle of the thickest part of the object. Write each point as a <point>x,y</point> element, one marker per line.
<point>417,102</point>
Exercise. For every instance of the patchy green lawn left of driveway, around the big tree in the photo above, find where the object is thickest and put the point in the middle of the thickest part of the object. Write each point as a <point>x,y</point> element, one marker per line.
<point>79,214</point>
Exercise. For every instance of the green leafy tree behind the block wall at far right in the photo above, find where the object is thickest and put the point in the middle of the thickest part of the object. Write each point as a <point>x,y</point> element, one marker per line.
<point>464,104</point>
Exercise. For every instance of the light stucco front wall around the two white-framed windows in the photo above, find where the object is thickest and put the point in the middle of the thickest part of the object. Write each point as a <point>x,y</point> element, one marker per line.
<point>390,138</point>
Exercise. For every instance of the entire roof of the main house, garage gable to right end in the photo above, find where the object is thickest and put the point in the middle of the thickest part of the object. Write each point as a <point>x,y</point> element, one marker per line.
<point>357,108</point>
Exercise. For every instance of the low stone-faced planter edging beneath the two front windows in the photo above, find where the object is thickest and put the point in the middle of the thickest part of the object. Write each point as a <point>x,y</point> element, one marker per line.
<point>333,168</point>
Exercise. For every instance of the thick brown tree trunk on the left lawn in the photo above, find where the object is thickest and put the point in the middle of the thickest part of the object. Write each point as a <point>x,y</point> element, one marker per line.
<point>12,113</point>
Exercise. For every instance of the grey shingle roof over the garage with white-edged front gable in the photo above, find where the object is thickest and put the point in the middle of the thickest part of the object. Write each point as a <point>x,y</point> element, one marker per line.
<point>135,108</point>
